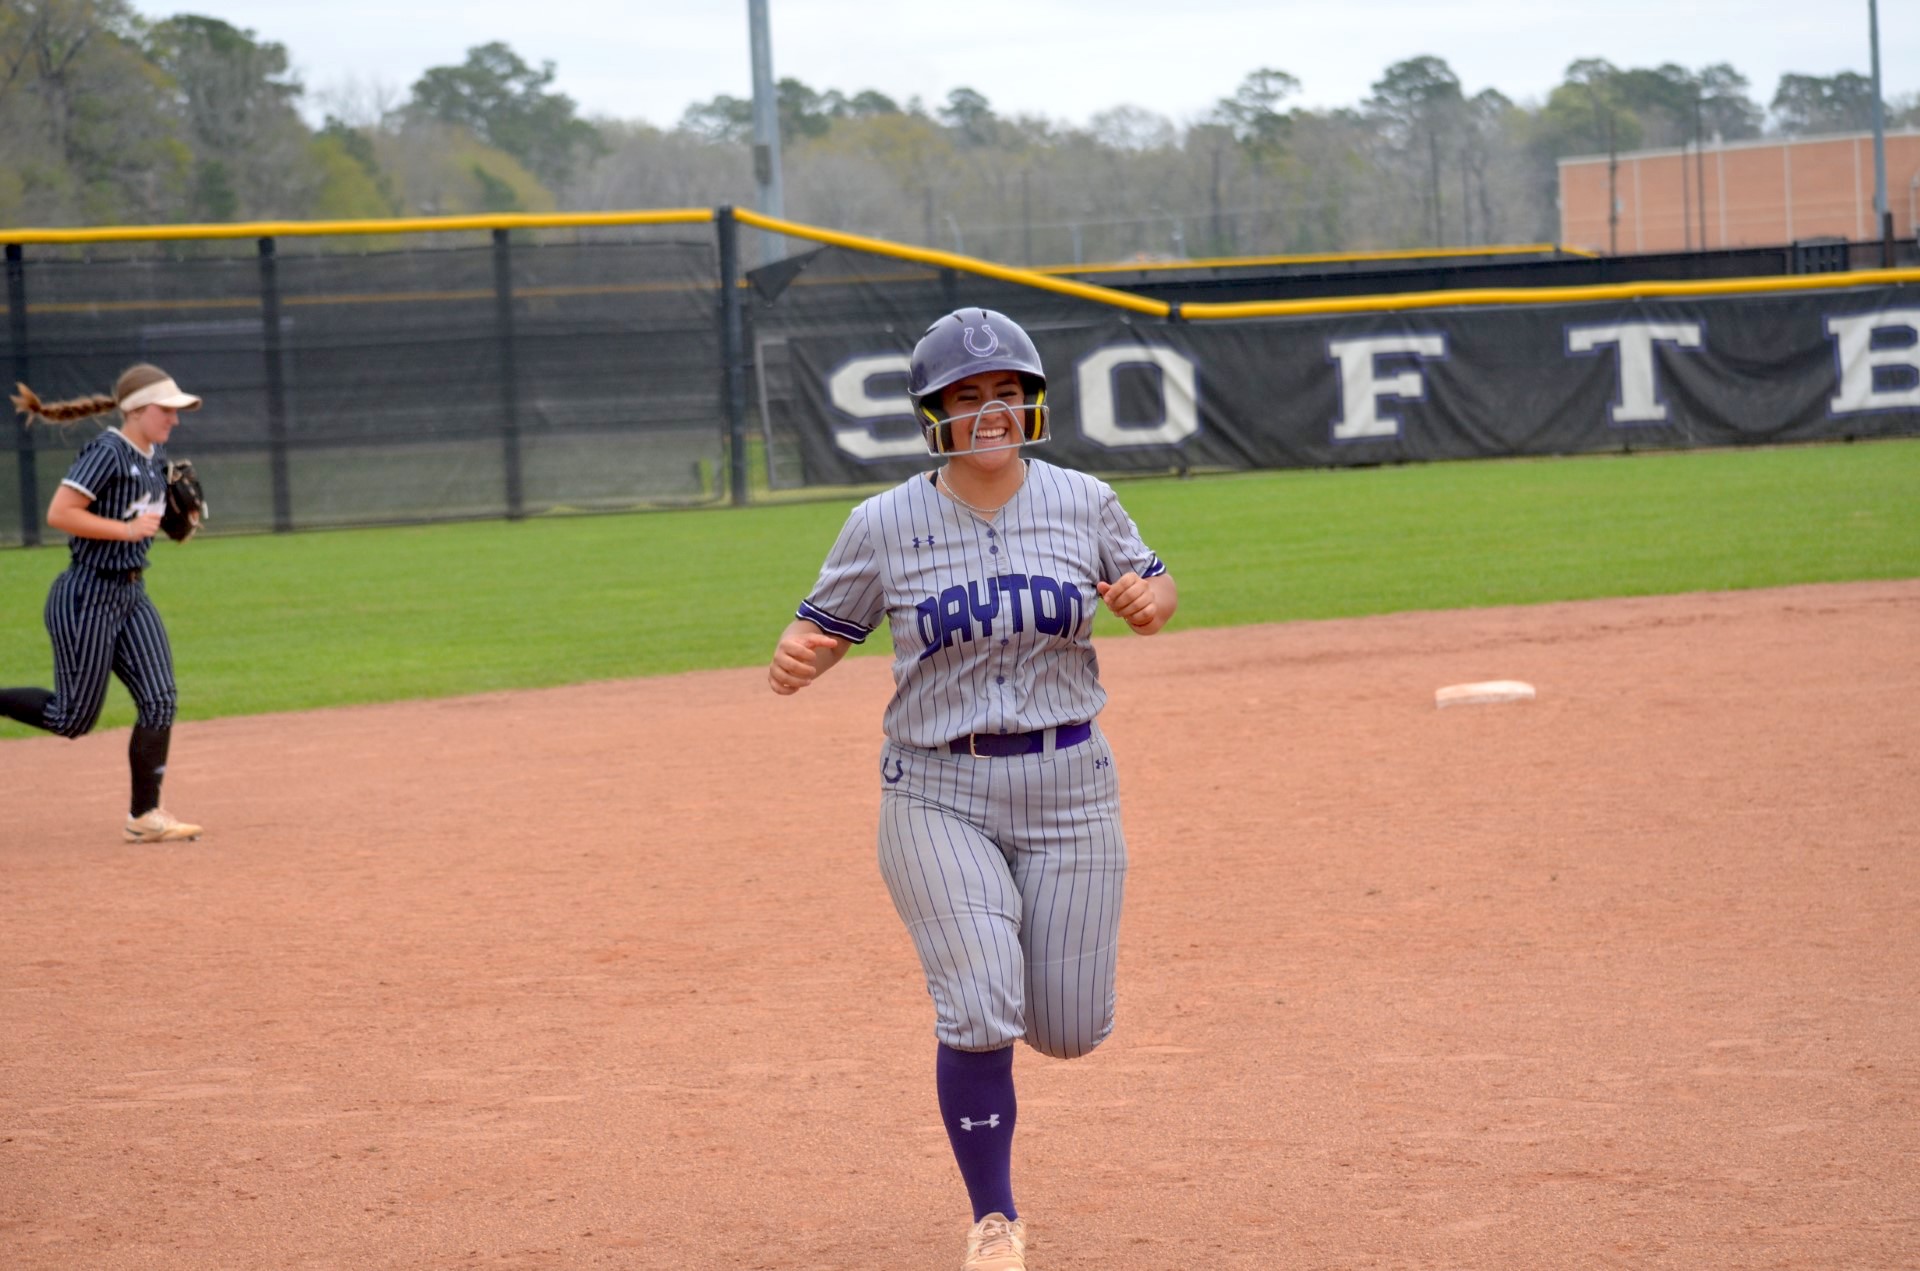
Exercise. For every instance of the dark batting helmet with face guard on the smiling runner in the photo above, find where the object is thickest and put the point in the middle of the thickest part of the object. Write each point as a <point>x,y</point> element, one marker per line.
<point>959,347</point>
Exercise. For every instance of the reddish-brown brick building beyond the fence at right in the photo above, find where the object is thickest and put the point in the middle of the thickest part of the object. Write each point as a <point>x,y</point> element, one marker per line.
<point>1740,195</point>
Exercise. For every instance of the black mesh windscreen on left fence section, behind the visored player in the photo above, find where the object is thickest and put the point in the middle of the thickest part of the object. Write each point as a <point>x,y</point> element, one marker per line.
<point>398,385</point>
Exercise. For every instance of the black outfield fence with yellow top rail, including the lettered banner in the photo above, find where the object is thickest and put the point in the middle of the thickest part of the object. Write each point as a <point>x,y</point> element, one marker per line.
<point>633,364</point>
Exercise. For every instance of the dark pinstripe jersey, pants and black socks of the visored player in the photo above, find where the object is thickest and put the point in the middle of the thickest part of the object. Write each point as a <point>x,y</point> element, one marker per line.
<point>101,617</point>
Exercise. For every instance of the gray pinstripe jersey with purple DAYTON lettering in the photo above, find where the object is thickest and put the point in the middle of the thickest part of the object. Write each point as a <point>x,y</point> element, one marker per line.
<point>992,619</point>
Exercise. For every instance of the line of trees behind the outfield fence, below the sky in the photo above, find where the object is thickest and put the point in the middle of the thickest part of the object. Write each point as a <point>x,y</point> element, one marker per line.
<point>108,118</point>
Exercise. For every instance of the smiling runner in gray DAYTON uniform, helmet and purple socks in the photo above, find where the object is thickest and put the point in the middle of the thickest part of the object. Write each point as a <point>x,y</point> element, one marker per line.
<point>999,821</point>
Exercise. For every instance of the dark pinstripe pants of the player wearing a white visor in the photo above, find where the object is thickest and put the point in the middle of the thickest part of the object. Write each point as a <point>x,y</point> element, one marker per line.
<point>107,627</point>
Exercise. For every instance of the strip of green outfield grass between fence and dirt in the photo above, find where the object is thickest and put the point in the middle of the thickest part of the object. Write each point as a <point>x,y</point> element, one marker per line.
<point>287,623</point>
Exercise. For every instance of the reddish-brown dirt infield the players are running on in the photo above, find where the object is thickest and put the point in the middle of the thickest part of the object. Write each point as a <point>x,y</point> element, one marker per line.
<point>606,976</point>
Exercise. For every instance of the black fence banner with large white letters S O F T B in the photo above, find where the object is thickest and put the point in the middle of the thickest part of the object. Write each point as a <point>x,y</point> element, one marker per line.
<point>1403,387</point>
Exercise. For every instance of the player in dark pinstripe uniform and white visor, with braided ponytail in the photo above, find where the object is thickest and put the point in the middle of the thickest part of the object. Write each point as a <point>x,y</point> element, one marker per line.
<point>97,612</point>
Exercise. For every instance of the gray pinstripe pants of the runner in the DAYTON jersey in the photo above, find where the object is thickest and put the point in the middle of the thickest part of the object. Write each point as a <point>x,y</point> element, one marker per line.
<point>1009,875</point>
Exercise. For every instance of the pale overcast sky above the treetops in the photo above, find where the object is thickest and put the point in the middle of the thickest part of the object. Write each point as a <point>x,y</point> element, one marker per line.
<point>1065,59</point>
